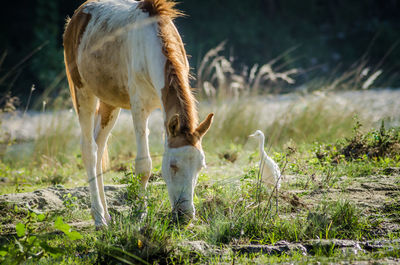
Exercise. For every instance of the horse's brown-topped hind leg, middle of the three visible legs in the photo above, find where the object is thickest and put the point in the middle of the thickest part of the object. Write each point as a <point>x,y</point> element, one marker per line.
<point>105,120</point>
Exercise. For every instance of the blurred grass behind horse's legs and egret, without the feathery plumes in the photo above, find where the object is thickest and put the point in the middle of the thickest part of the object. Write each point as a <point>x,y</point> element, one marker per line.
<point>53,156</point>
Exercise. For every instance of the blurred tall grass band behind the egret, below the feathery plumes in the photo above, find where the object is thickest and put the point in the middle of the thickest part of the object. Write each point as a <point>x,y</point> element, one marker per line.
<point>303,120</point>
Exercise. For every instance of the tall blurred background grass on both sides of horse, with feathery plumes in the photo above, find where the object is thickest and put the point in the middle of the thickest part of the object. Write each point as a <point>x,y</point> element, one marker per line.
<point>241,101</point>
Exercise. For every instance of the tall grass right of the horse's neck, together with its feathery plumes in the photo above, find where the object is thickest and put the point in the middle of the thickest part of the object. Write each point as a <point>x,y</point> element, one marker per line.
<point>242,103</point>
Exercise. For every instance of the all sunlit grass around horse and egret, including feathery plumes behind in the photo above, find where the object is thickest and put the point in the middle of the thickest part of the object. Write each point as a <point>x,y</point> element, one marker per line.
<point>231,208</point>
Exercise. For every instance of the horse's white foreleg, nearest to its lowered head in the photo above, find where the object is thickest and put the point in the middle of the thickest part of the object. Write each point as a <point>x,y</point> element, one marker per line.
<point>140,115</point>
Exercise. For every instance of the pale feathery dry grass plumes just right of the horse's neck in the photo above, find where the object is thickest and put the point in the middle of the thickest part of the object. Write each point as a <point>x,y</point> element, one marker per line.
<point>219,80</point>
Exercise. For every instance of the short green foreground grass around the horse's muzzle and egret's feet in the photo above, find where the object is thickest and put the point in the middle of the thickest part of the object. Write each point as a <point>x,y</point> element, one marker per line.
<point>227,215</point>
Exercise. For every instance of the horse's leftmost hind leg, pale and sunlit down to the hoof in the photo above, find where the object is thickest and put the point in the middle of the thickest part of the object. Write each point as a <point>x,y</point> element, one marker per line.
<point>86,102</point>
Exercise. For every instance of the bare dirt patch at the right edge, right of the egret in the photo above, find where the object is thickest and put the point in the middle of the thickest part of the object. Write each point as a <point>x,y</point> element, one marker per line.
<point>376,196</point>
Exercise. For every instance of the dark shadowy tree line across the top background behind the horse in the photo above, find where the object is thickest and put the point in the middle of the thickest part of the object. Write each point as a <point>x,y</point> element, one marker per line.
<point>331,33</point>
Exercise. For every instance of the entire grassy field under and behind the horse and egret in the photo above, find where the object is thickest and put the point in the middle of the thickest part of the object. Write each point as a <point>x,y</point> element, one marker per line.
<point>339,201</point>
